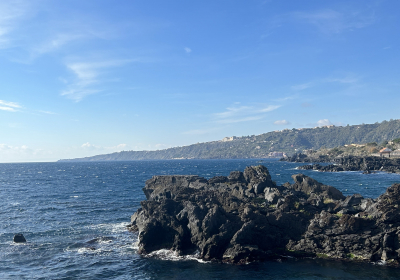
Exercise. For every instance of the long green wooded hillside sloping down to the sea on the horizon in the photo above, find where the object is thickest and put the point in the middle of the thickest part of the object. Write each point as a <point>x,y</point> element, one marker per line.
<point>259,146</point>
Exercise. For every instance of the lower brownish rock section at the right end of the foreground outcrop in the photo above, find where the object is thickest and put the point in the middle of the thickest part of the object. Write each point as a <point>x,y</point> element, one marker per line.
<point>369,231</point>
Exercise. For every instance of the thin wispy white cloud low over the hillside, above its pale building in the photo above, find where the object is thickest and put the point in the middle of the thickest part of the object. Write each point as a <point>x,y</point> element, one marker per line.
<point>239,113</point>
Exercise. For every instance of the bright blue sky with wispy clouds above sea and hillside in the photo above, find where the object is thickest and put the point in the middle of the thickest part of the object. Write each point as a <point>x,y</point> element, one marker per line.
<point>80,78</point>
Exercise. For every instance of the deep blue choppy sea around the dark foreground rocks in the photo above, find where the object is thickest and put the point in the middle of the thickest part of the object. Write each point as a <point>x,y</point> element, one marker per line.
<point>73,216</point>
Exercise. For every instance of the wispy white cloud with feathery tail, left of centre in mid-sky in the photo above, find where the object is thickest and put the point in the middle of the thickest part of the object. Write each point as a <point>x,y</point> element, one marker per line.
<point>86,77</point>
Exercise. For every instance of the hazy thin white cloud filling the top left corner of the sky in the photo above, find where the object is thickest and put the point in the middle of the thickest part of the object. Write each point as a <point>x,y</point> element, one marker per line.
<point>30,35</point>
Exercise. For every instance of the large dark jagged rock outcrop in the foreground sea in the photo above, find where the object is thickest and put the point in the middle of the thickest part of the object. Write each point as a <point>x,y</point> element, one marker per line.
<point>246,217</point>
